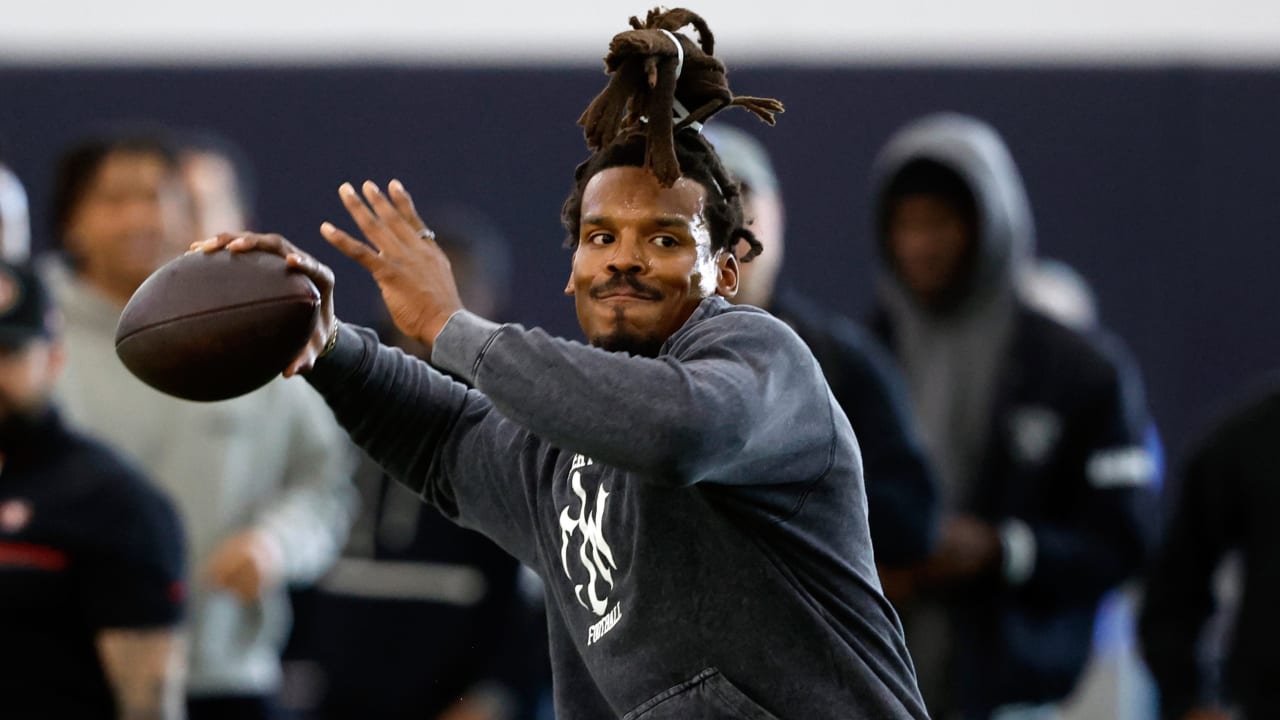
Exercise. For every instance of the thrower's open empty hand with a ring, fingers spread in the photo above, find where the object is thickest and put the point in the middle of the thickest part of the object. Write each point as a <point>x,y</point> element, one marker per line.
<point>403,257</point>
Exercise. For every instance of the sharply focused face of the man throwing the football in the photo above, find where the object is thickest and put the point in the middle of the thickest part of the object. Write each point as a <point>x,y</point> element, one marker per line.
<point>644,261</point>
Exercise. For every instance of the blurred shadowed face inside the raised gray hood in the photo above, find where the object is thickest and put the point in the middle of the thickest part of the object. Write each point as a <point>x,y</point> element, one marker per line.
<point>931,245</point>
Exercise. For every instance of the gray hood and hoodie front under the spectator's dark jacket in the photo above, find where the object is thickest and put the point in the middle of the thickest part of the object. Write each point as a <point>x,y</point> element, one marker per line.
<point>952,361</point>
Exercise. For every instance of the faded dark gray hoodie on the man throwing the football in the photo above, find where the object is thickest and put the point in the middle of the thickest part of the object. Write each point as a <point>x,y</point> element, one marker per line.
<point>698,518</point>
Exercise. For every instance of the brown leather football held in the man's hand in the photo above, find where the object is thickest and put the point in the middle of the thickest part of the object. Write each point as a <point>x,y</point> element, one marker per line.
<point>217,326</point>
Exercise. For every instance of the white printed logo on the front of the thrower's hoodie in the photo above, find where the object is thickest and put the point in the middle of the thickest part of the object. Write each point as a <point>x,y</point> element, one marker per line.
<point>593,553</point>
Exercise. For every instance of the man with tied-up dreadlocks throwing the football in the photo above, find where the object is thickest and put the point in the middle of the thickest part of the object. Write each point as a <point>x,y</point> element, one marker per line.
<point>685,485</point>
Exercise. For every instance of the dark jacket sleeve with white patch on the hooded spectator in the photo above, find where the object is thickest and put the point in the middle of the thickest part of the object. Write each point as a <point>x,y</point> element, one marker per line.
<point>1113,467</point>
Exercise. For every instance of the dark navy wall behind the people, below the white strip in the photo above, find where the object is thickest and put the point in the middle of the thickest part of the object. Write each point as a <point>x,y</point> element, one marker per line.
<point>1158,184</point>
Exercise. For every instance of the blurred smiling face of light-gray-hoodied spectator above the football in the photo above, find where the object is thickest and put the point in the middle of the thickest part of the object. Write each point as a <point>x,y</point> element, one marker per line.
<point>134,217</point>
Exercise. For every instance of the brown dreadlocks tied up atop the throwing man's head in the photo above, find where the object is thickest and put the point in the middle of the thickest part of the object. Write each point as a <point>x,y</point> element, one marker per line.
<point>656,74</point>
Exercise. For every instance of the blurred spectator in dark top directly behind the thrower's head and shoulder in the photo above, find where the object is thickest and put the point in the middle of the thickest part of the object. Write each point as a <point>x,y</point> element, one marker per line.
<point>902,493</point>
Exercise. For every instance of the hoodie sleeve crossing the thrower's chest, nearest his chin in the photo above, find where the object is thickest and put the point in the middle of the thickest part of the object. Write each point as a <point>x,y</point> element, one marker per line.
<point>738,399</point>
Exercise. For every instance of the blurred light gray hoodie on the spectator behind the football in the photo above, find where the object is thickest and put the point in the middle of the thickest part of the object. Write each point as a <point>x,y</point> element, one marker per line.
<point>272,461</point>
